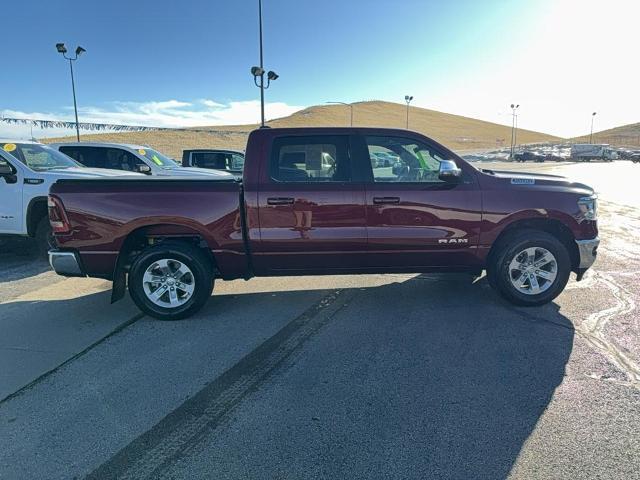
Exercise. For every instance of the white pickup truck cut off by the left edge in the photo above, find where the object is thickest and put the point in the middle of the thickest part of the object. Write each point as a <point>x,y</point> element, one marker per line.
<point>27,170</point>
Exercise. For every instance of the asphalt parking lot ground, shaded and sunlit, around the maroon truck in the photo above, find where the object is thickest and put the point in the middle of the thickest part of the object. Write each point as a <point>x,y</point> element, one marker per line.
<point>373,376</point>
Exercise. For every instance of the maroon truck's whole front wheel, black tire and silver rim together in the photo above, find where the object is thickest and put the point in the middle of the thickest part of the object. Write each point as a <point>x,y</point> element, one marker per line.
<point>530,268</point>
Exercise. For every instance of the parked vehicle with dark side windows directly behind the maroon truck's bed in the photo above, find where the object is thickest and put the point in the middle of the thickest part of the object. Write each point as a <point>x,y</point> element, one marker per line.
<point>130,158</point>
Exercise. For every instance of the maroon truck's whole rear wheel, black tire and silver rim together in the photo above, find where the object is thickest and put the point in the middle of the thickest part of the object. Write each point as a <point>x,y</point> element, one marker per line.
<point>171,281</point>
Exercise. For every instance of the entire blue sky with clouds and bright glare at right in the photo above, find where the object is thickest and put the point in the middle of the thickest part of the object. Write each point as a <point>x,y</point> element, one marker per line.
<point>187,63</point>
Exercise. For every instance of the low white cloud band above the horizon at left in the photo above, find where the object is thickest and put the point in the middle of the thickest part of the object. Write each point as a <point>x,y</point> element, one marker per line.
<point>167,113</point>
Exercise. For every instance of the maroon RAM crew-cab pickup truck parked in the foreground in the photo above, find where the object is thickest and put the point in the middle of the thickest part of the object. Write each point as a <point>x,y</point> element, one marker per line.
<point>315,201</point>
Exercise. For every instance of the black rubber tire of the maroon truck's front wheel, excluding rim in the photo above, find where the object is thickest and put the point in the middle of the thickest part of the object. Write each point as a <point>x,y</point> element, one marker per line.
<point>499,275</point>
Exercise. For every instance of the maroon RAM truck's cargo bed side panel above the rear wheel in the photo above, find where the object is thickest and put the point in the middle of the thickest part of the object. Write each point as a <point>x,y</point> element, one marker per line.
<point>105,214</point>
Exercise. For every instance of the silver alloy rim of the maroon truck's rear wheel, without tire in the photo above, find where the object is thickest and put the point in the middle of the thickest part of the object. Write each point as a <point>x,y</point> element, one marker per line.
<point>168,283</point>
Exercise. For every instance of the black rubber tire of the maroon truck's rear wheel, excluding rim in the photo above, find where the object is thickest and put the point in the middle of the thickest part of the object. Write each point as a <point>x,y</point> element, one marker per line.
<point>201,272</point>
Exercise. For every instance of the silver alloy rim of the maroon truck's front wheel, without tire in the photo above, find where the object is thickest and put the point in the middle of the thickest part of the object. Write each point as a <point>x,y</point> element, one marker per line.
<point>533,270</point>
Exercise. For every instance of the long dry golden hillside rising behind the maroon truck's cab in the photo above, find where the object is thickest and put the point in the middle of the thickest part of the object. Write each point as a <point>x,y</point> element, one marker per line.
<point>457,132</point>
